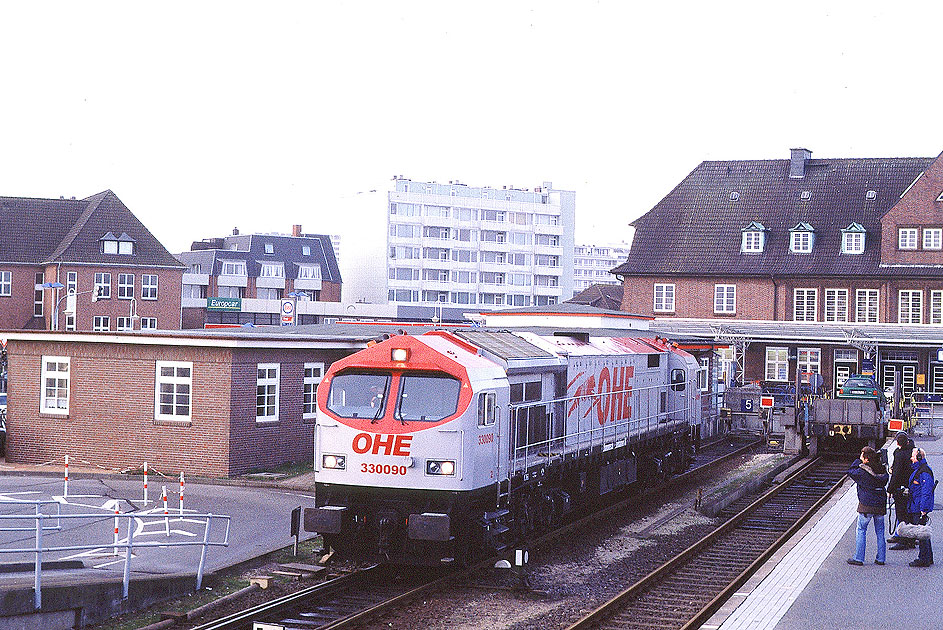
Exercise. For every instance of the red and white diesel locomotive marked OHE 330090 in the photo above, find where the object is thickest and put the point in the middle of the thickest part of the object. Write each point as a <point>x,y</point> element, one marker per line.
<point>438,447</point>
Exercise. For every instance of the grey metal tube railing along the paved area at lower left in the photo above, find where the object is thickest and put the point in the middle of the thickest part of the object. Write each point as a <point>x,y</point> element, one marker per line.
<point>39,548</point>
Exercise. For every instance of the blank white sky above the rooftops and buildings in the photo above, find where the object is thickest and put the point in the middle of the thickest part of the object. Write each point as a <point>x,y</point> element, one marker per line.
<point>203,116</point>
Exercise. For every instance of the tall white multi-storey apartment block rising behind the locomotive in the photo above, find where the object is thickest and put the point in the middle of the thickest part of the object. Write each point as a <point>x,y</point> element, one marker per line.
<point>458,248</point>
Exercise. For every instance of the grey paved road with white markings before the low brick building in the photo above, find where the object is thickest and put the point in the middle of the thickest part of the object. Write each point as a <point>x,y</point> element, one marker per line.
<point>259,523</point>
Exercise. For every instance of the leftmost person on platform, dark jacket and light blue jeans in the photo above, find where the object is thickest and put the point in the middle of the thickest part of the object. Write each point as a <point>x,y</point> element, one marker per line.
<point>870,477</point>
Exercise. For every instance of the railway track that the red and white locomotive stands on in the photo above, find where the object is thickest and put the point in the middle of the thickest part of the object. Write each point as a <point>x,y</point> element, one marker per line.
<point>354,598</point>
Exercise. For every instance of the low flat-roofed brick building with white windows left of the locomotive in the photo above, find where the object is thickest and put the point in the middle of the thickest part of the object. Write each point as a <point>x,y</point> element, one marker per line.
<point>213,403</point>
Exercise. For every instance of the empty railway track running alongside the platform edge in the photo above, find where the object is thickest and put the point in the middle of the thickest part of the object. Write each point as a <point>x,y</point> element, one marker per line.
<point>687,589</point>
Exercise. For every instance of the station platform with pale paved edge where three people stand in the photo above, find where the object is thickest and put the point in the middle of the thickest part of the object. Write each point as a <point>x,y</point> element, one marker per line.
<point>808,583</point>
